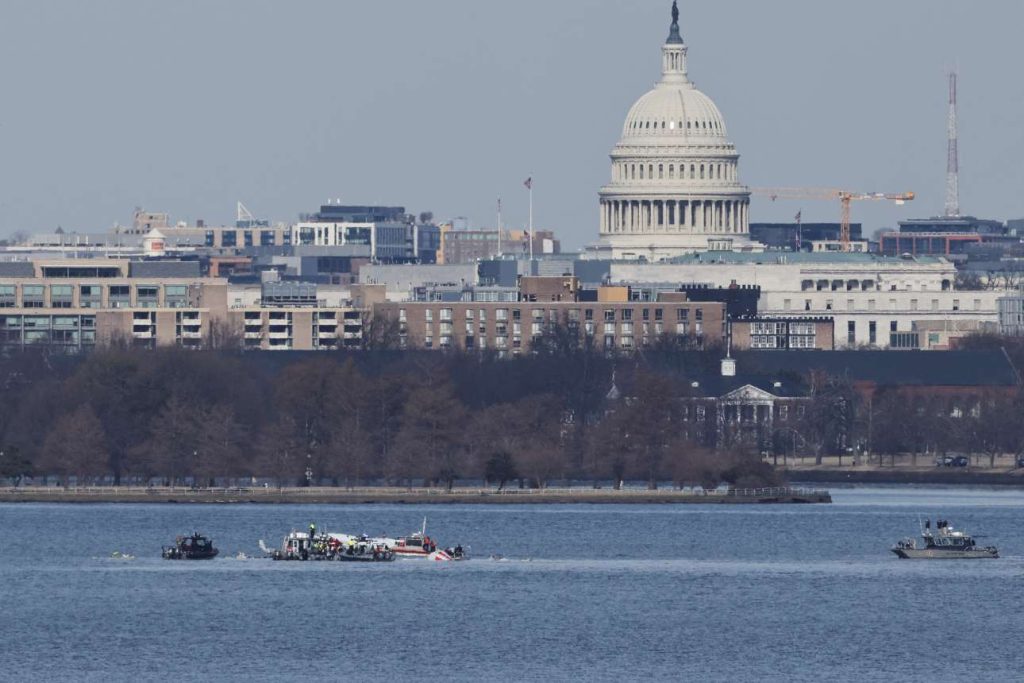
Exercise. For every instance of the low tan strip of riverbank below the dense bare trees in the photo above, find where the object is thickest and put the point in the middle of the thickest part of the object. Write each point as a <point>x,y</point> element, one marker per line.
<point>315,496</point>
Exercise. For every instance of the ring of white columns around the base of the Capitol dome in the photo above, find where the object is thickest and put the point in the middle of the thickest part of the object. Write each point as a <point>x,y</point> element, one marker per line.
<point>641,217</point>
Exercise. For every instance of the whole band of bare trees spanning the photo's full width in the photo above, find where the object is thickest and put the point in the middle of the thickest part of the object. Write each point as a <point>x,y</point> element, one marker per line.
<point>415,418</point>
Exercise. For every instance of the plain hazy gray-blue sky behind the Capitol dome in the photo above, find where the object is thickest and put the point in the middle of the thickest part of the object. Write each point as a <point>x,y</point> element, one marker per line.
<point>187,107</point>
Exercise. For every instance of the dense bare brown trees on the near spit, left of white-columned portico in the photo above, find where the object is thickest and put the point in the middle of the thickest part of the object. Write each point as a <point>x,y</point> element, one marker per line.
<point>170,416</point>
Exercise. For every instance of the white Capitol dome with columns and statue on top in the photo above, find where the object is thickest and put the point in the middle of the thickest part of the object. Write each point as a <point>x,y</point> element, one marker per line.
<point>675,186</point>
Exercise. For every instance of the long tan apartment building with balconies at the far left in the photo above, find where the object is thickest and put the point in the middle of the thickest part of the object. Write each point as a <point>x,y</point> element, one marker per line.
<point>76,305</point>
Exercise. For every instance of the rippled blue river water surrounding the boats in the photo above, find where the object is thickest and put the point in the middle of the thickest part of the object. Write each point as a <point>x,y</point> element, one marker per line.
<point>716,593</point>
